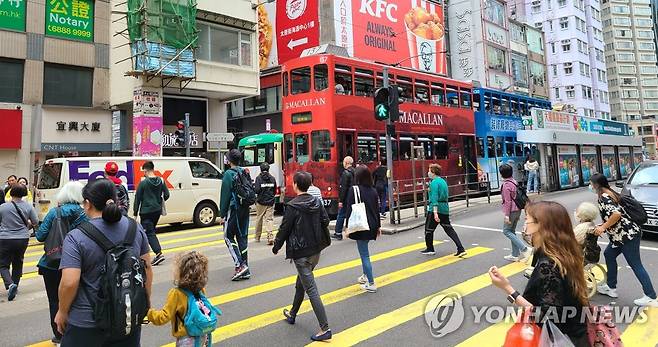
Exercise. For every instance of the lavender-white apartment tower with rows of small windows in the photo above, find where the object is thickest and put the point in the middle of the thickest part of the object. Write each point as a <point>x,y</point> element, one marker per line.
<point>574,51</point>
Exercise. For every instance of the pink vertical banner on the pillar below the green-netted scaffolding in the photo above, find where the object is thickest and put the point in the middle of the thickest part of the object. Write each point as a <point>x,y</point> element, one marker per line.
<point>147,122</point>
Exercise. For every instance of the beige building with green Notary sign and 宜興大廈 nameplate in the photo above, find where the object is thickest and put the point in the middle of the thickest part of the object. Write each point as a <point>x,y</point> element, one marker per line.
<point>54,56</point>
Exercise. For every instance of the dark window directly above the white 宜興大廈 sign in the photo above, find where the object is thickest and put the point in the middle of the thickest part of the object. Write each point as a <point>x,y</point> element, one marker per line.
<point>78,82</point>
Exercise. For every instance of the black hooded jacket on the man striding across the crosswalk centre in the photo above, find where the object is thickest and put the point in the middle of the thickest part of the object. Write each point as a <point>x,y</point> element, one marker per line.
<point>304,228</point>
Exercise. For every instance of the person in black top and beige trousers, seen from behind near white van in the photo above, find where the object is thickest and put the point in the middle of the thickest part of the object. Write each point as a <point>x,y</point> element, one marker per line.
<point>265,188</point>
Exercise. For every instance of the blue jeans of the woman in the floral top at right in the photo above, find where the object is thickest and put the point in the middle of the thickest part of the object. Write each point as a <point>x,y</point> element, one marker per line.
<point>631,251</point>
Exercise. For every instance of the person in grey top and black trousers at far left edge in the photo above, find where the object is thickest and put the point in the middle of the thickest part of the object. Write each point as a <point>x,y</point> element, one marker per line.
<point>17,217</point>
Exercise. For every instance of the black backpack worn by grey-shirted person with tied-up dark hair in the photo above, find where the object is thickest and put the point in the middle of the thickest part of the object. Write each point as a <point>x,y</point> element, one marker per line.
<point>121,303</point>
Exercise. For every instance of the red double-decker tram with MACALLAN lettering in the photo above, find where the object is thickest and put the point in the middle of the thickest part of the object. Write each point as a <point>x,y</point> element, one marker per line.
<point>328,114</point>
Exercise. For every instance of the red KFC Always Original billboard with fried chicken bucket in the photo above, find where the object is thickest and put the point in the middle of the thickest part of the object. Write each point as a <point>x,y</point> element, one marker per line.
<point>408,31</point>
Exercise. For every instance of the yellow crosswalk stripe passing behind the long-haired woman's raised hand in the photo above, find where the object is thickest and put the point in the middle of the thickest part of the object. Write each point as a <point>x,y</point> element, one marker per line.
<point>387,321</point>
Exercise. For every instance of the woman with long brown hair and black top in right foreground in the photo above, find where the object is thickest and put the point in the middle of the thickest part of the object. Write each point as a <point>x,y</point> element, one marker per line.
<point>557,284</point>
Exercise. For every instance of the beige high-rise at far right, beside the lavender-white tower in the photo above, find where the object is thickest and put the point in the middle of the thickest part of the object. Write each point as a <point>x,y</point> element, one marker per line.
<point>628,31</point>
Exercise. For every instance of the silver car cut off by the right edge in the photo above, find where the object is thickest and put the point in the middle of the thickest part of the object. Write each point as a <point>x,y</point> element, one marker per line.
<point>642,184</point>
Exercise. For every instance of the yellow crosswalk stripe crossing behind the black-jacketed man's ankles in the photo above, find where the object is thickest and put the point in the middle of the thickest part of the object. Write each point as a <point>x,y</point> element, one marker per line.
<point>262,320</point>
